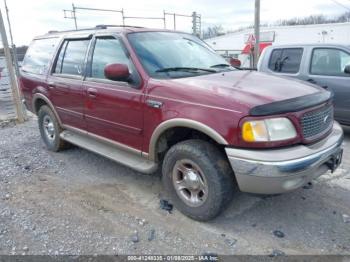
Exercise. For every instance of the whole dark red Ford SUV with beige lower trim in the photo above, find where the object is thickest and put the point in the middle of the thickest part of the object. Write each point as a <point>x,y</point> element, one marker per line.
<point>157,99</point>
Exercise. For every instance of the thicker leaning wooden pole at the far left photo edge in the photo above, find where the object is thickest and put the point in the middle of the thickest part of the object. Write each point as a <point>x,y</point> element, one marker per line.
<point>13,81</point>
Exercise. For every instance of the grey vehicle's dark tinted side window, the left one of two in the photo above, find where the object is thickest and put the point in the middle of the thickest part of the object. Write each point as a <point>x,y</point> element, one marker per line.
<point>286,60</point>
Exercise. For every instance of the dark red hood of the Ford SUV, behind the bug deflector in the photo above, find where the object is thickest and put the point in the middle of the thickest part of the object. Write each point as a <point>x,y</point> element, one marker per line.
<point>249,89</point>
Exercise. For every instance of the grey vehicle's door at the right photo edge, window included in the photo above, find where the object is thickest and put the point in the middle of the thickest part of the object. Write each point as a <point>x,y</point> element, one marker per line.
<point>327,70</point>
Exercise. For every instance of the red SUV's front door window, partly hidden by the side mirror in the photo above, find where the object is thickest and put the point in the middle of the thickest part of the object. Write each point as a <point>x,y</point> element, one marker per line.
<point>108,50</point>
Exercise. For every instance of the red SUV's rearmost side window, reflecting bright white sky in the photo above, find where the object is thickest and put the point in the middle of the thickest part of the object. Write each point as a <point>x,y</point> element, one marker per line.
<point>38,57</point>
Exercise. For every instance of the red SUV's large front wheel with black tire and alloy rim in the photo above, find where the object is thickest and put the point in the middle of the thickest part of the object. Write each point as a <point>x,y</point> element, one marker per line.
<point>206,169</point>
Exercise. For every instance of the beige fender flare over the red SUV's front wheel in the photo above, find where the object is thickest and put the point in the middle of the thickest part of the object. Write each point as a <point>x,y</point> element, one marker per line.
<point>181,122</point>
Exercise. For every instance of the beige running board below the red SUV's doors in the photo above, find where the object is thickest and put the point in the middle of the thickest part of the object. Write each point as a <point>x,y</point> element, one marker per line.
<point>129,159</point>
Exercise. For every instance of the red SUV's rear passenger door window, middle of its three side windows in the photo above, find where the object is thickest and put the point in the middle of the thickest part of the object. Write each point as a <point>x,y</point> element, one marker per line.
<point>71,57</point>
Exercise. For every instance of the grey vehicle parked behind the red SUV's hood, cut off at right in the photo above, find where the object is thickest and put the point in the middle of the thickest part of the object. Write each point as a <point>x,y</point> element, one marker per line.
<point>325,65</point>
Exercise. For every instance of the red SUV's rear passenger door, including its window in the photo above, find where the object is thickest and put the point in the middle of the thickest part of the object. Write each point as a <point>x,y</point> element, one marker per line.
<point>66,82</point>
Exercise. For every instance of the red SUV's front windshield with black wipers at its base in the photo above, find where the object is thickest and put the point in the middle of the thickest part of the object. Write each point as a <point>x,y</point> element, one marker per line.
<point>174,55</point>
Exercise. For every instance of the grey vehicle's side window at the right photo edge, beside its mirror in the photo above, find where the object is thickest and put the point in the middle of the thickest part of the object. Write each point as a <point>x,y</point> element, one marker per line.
<point>329,61</point>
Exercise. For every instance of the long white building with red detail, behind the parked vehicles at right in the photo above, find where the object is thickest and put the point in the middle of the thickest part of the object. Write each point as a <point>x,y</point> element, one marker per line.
<point>238,44</point>
